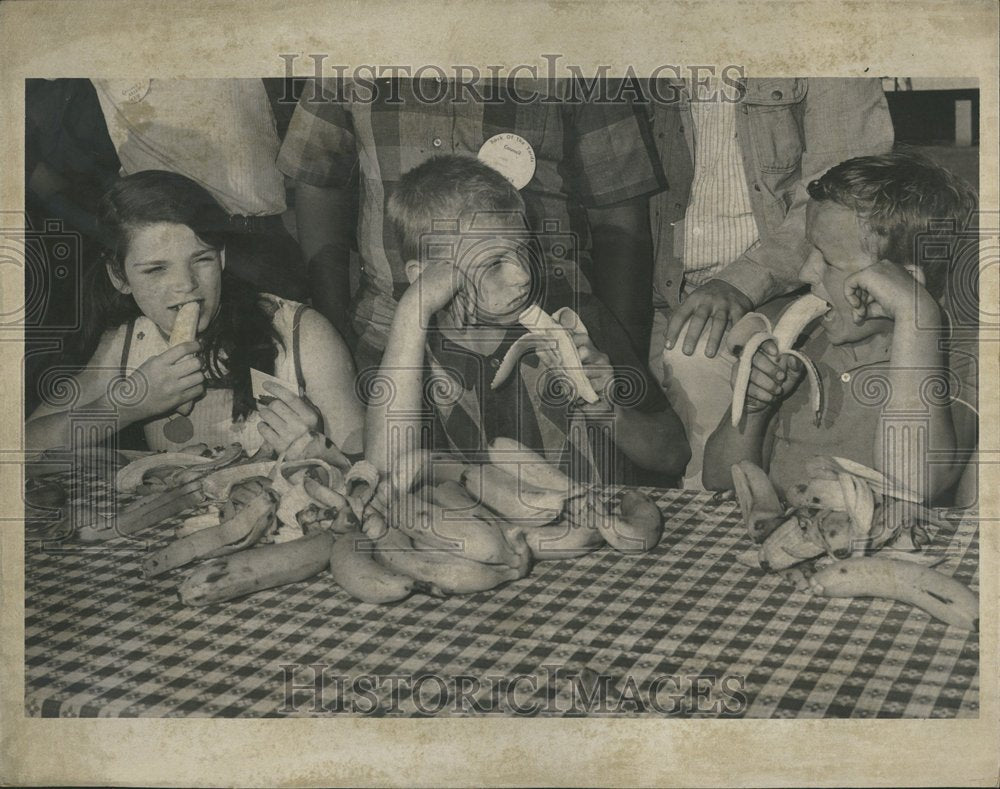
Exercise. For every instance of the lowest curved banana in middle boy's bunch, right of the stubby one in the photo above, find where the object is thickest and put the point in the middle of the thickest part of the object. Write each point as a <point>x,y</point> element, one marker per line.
<point>445,573</point>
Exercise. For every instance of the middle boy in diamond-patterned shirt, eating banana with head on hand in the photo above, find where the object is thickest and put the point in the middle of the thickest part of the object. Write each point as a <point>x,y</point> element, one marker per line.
<point>454,376</point>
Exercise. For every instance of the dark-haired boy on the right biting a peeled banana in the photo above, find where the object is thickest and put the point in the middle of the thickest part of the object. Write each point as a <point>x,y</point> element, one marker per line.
<point>899,377</point>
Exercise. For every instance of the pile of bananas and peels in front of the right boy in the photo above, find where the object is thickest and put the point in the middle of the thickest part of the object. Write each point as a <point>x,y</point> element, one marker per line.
<point>843,514</point>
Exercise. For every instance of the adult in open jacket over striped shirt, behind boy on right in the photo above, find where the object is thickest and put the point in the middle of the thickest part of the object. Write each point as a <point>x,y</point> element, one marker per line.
<point>729,233</point>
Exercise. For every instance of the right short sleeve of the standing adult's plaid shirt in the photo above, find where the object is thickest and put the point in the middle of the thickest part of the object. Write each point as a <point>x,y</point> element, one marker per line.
<point>612,156</point>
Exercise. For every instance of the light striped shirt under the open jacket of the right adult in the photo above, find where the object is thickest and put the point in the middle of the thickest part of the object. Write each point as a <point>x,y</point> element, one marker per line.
<point>719,225</point>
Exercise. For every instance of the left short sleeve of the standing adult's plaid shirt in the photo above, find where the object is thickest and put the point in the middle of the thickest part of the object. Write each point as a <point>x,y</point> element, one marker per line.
<point>319,148</point>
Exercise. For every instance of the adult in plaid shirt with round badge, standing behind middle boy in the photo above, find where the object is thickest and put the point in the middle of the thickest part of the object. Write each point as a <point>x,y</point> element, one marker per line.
<point>594,168</point>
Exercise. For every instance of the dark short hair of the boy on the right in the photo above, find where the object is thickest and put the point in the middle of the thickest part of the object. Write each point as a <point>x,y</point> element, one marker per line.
<point>899,195</point>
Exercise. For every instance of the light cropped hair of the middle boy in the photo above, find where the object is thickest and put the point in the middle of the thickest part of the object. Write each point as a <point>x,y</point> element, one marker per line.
<point>449,188</point>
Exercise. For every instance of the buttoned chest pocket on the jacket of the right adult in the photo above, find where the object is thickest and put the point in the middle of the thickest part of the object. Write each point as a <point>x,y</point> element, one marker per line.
<point>774,107</point>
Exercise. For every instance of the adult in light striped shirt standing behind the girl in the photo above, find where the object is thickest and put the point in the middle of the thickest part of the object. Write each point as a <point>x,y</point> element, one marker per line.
<point>221,134</point>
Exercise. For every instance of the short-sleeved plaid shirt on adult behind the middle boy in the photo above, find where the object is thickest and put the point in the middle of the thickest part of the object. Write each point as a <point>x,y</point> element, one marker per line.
<point>587,155</point>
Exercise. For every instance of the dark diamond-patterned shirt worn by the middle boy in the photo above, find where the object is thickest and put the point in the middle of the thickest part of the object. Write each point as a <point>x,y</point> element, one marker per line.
<point>468,414</point>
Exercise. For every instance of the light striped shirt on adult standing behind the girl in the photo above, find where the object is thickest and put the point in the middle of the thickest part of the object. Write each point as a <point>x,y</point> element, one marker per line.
<point>218,132</point>
